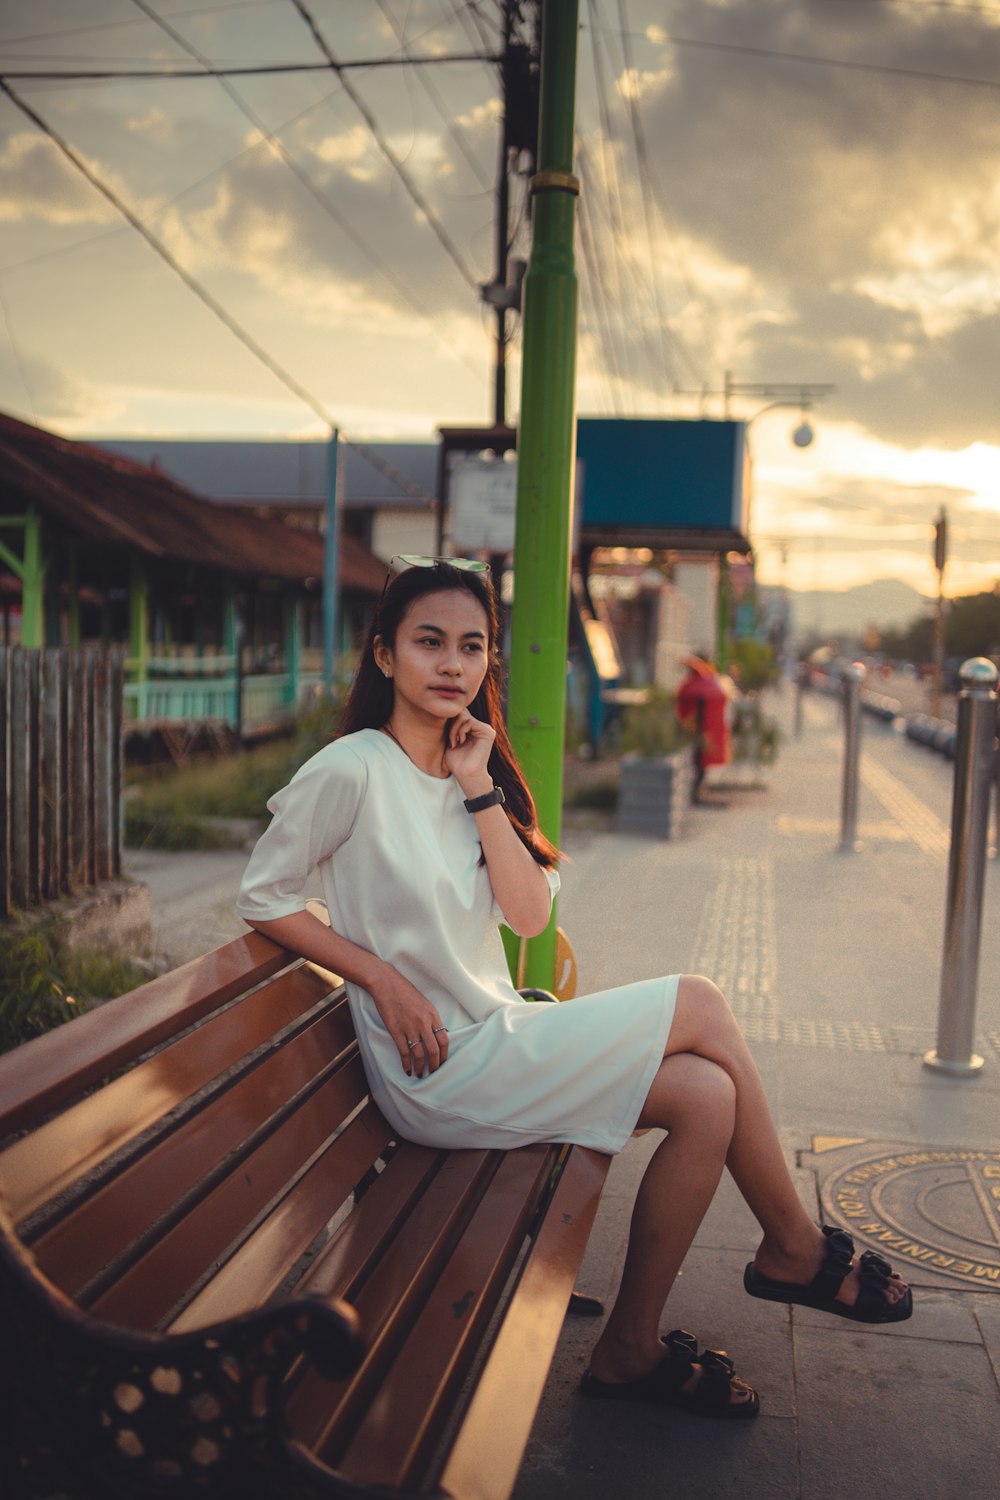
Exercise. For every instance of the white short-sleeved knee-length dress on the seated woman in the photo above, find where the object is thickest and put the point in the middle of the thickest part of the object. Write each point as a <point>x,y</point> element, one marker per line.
<point>400,863</point>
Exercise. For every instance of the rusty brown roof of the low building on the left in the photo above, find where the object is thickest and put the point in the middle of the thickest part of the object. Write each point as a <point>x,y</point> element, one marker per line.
<point>107,497</point>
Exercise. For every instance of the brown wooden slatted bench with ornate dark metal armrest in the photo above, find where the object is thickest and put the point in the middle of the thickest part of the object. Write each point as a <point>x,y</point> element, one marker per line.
<point>221,1276</point>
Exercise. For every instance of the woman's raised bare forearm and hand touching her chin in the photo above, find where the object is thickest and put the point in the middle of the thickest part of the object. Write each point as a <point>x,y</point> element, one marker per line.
<point>519,884</point>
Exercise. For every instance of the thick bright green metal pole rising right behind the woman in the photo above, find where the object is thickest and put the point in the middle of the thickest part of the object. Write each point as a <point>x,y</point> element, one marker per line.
<point>546,455</point>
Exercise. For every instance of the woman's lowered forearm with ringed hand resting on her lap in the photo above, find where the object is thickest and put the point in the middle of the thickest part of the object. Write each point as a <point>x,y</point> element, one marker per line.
<point>407,1015</point>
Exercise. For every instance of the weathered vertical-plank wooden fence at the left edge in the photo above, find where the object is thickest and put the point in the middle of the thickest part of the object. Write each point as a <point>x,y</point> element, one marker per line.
<point>61,775</point>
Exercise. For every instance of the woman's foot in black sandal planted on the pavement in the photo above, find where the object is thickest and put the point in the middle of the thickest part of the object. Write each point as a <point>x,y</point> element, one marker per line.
<point>677,1376</point>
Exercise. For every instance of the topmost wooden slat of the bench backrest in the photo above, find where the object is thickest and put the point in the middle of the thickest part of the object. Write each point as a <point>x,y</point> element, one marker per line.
<point>50,1070</point>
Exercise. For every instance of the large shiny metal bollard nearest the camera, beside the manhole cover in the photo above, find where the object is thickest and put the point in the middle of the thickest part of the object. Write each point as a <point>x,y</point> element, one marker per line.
<point>966,866</point>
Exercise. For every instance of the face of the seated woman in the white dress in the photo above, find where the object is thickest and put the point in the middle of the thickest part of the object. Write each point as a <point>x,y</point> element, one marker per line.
<point>442,653</point>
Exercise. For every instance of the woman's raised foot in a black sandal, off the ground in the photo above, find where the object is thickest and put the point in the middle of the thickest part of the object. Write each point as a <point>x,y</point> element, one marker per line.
<point>825,1274</point>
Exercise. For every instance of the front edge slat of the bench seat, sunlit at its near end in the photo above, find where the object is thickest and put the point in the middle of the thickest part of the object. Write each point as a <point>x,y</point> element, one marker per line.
<point>487,1454</point>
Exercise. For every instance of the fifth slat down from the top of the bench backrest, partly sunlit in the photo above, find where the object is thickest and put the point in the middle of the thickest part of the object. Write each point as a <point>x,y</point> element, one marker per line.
<point>259,1270</point>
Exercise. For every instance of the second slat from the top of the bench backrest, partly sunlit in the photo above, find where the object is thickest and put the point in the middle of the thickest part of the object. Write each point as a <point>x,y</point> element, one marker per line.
<point>65,1150</point>
